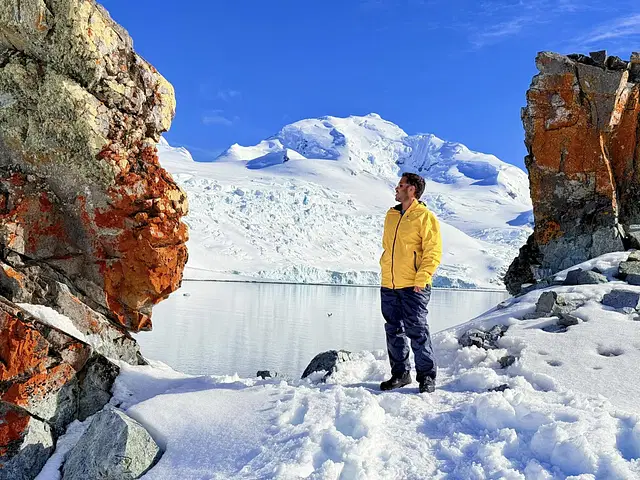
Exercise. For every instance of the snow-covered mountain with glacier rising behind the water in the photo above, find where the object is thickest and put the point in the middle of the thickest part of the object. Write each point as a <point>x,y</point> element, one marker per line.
<point>307,205</point>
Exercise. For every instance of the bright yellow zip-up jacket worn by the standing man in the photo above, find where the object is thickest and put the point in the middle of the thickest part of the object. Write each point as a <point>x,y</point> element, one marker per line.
<point>412,247</point>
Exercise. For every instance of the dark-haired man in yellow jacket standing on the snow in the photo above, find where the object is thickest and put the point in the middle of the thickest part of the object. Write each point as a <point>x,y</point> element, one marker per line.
<point>412,252</point>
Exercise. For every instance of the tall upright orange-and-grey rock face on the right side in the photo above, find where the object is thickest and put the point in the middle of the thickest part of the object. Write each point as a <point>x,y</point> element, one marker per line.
<point>581,133</point>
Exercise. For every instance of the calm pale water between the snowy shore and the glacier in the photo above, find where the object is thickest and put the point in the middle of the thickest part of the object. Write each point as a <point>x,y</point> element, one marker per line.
<point>225,328</point>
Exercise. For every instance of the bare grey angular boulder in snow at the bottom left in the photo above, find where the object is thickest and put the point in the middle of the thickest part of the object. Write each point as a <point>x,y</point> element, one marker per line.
<point>114,446</point>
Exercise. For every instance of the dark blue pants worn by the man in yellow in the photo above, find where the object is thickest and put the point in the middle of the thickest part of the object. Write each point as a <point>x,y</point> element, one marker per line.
<point>405,312</point>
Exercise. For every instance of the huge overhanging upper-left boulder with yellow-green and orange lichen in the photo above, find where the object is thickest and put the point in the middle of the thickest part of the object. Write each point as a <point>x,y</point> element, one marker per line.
<point>81,188</point>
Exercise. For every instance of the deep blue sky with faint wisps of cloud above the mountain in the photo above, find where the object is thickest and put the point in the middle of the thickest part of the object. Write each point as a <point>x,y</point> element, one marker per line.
<point>458,69</point>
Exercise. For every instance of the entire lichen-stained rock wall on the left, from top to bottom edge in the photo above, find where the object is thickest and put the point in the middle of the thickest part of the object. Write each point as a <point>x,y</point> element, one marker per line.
<point>90,224</point>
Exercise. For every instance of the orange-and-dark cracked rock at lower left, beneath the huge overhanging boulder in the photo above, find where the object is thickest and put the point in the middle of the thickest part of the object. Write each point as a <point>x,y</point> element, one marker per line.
<point>47,380</point>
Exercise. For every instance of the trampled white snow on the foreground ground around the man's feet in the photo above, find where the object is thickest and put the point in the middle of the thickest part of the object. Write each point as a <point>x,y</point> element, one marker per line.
<point>570,408</point>
